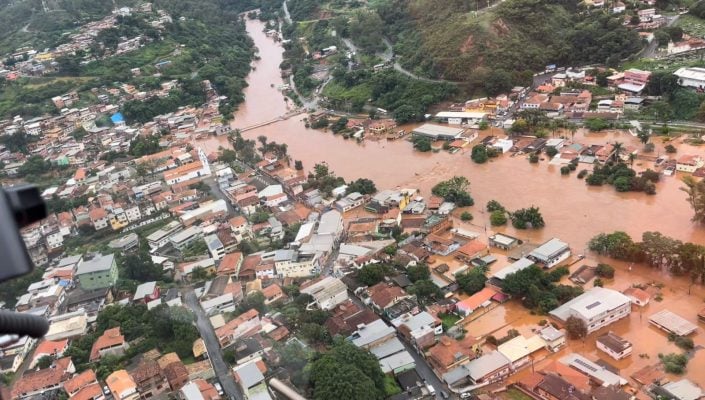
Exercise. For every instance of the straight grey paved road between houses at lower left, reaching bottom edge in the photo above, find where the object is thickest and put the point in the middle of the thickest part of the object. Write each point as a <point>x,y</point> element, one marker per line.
<point>205,329</point>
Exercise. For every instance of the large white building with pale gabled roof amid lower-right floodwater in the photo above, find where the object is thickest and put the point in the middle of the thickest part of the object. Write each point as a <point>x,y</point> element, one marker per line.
<point>597,307</point>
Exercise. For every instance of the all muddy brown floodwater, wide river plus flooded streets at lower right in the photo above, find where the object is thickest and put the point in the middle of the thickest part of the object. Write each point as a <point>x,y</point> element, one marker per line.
<point>573,211</point>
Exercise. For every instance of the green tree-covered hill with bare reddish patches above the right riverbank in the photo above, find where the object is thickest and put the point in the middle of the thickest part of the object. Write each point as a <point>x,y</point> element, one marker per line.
<point>451,40</point>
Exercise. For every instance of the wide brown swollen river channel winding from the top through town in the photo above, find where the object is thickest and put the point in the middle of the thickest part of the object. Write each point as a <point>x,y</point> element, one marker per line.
<point>572,210</point>
